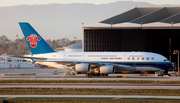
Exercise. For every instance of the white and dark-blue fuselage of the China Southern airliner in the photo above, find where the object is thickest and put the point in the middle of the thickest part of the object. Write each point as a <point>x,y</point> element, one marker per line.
<point>142,61</point>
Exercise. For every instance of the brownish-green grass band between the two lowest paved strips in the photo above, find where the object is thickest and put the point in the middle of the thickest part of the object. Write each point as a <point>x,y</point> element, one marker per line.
<point>88,91</point>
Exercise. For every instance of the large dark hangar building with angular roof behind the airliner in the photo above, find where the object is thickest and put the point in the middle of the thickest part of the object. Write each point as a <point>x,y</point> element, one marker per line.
<point>152,29</point>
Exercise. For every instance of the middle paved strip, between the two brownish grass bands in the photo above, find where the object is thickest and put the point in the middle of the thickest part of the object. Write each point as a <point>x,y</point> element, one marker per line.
<point>94,85</point>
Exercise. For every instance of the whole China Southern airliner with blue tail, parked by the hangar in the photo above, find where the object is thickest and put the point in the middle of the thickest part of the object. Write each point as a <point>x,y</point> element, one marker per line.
<point>96,63</point>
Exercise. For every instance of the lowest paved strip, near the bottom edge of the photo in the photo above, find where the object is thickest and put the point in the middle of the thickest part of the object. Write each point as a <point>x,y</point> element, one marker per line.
<point>118,97</point>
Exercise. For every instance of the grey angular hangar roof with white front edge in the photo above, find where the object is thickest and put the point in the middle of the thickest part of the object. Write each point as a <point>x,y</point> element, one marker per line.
<point>144,17</point>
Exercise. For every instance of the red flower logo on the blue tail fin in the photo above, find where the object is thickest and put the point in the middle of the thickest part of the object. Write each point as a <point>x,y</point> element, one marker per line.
<point>33,40</point>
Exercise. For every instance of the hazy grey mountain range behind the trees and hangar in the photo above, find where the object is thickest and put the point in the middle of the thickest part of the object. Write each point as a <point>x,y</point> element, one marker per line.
<point>55,21</point>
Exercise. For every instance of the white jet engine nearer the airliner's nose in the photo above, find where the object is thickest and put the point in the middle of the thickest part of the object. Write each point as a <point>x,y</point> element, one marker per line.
<point>107,69</point>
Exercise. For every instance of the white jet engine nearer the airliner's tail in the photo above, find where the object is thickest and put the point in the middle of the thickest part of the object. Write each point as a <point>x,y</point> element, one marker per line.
<point>82,67</point>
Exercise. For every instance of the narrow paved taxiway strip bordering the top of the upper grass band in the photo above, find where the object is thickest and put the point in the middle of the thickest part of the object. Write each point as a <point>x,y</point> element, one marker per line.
<point>57,77</point>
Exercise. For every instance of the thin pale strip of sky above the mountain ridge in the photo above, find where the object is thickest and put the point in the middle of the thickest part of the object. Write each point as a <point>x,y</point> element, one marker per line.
<point>4,3</point>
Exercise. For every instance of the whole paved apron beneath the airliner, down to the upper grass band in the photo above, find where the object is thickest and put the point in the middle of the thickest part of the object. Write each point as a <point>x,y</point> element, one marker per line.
<point>77,77</point>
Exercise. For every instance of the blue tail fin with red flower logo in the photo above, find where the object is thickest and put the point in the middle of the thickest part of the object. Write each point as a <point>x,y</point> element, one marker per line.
<point>35,42</point>
